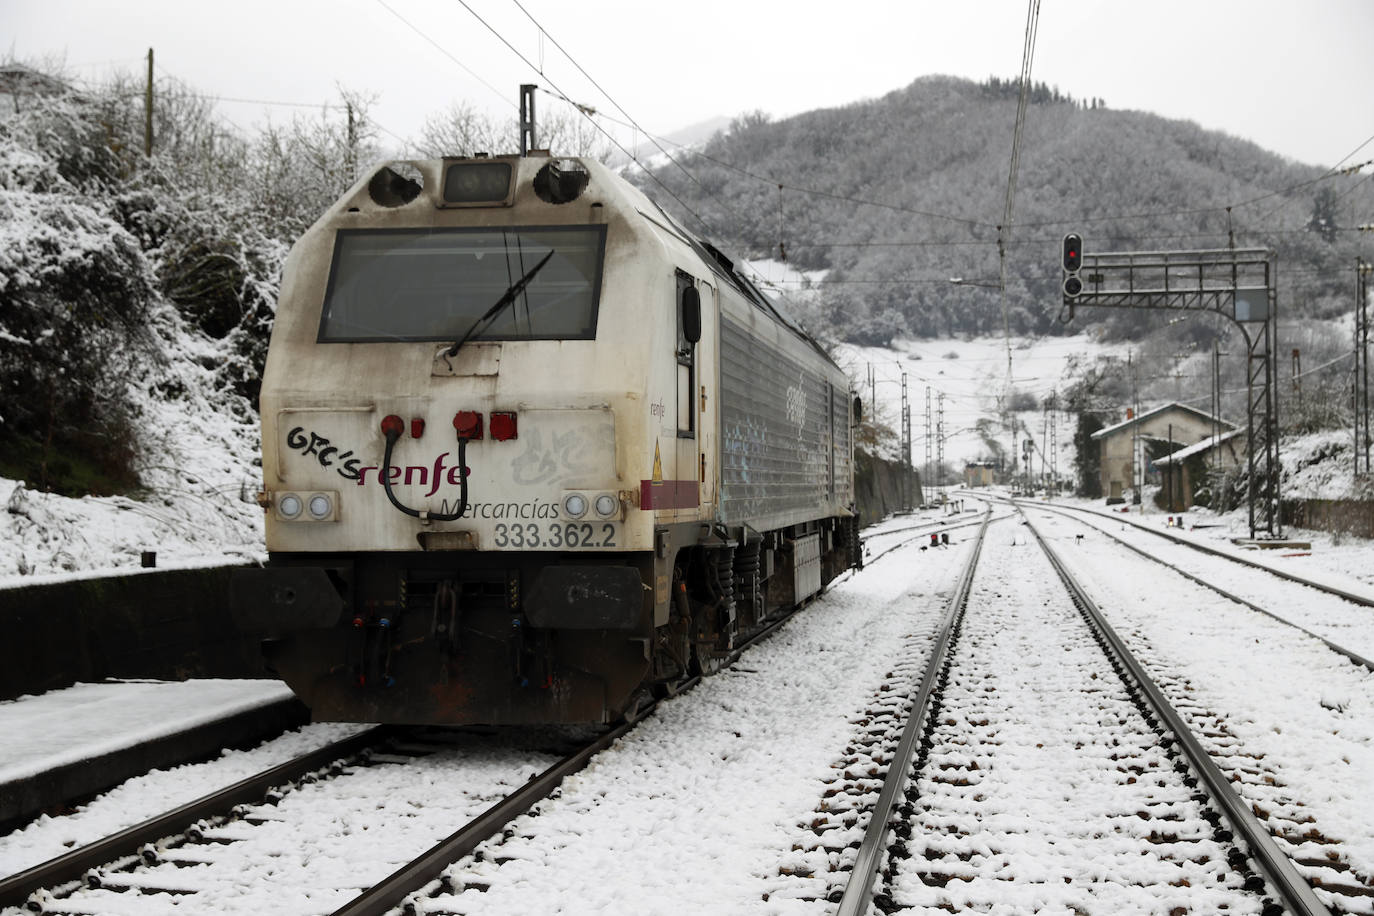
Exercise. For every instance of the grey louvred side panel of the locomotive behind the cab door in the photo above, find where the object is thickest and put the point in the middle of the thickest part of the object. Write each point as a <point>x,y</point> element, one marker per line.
<point>776,433</point>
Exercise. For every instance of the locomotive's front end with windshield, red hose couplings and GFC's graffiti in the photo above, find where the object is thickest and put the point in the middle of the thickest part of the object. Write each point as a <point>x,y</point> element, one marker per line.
<point>450,413</point>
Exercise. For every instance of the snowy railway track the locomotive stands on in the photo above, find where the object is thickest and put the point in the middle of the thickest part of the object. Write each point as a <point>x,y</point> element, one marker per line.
<point>194,851</point>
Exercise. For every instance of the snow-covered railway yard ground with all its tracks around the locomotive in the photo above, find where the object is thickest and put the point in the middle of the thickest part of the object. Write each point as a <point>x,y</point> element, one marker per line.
<point>1024,707</point>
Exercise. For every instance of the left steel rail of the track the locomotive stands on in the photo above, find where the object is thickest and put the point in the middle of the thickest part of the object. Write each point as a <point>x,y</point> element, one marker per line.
<point>69,867</point>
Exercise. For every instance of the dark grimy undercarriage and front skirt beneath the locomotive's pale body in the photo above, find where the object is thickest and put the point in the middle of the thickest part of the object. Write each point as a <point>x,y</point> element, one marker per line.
<point>520,638</point>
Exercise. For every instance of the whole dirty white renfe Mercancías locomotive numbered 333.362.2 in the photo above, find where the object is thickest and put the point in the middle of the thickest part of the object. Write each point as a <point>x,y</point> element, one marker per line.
<point>531,451</point>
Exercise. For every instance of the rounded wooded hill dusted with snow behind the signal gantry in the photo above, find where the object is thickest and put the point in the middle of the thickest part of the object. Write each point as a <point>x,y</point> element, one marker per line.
<point>895,197</point>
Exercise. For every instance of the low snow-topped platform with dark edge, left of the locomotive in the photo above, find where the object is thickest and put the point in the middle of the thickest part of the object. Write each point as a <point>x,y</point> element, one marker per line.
<point>67,745</point>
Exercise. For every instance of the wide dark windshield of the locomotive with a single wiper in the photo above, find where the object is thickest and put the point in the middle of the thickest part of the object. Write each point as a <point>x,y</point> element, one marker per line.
<point>432,285</point>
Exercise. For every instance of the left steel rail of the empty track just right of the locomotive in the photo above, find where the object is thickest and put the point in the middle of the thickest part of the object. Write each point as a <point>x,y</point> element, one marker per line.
<point>859,889</point>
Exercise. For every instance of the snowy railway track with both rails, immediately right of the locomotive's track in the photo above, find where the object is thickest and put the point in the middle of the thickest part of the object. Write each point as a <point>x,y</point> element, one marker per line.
<point>1027,729</point>
